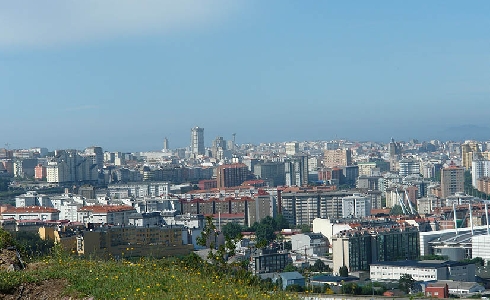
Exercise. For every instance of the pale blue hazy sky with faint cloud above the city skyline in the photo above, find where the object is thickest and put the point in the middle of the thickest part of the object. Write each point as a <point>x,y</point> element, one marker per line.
<point>124,74</point>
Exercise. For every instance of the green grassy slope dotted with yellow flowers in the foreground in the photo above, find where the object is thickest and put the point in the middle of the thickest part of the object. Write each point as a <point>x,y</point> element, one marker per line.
<point>169,278</point>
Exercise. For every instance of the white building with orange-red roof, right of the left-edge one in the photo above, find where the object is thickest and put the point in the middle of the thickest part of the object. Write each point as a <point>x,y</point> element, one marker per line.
<point>105,214</point>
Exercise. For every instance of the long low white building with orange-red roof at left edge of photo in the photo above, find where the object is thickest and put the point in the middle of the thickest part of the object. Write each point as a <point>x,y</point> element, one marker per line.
<point>31,213</point>
